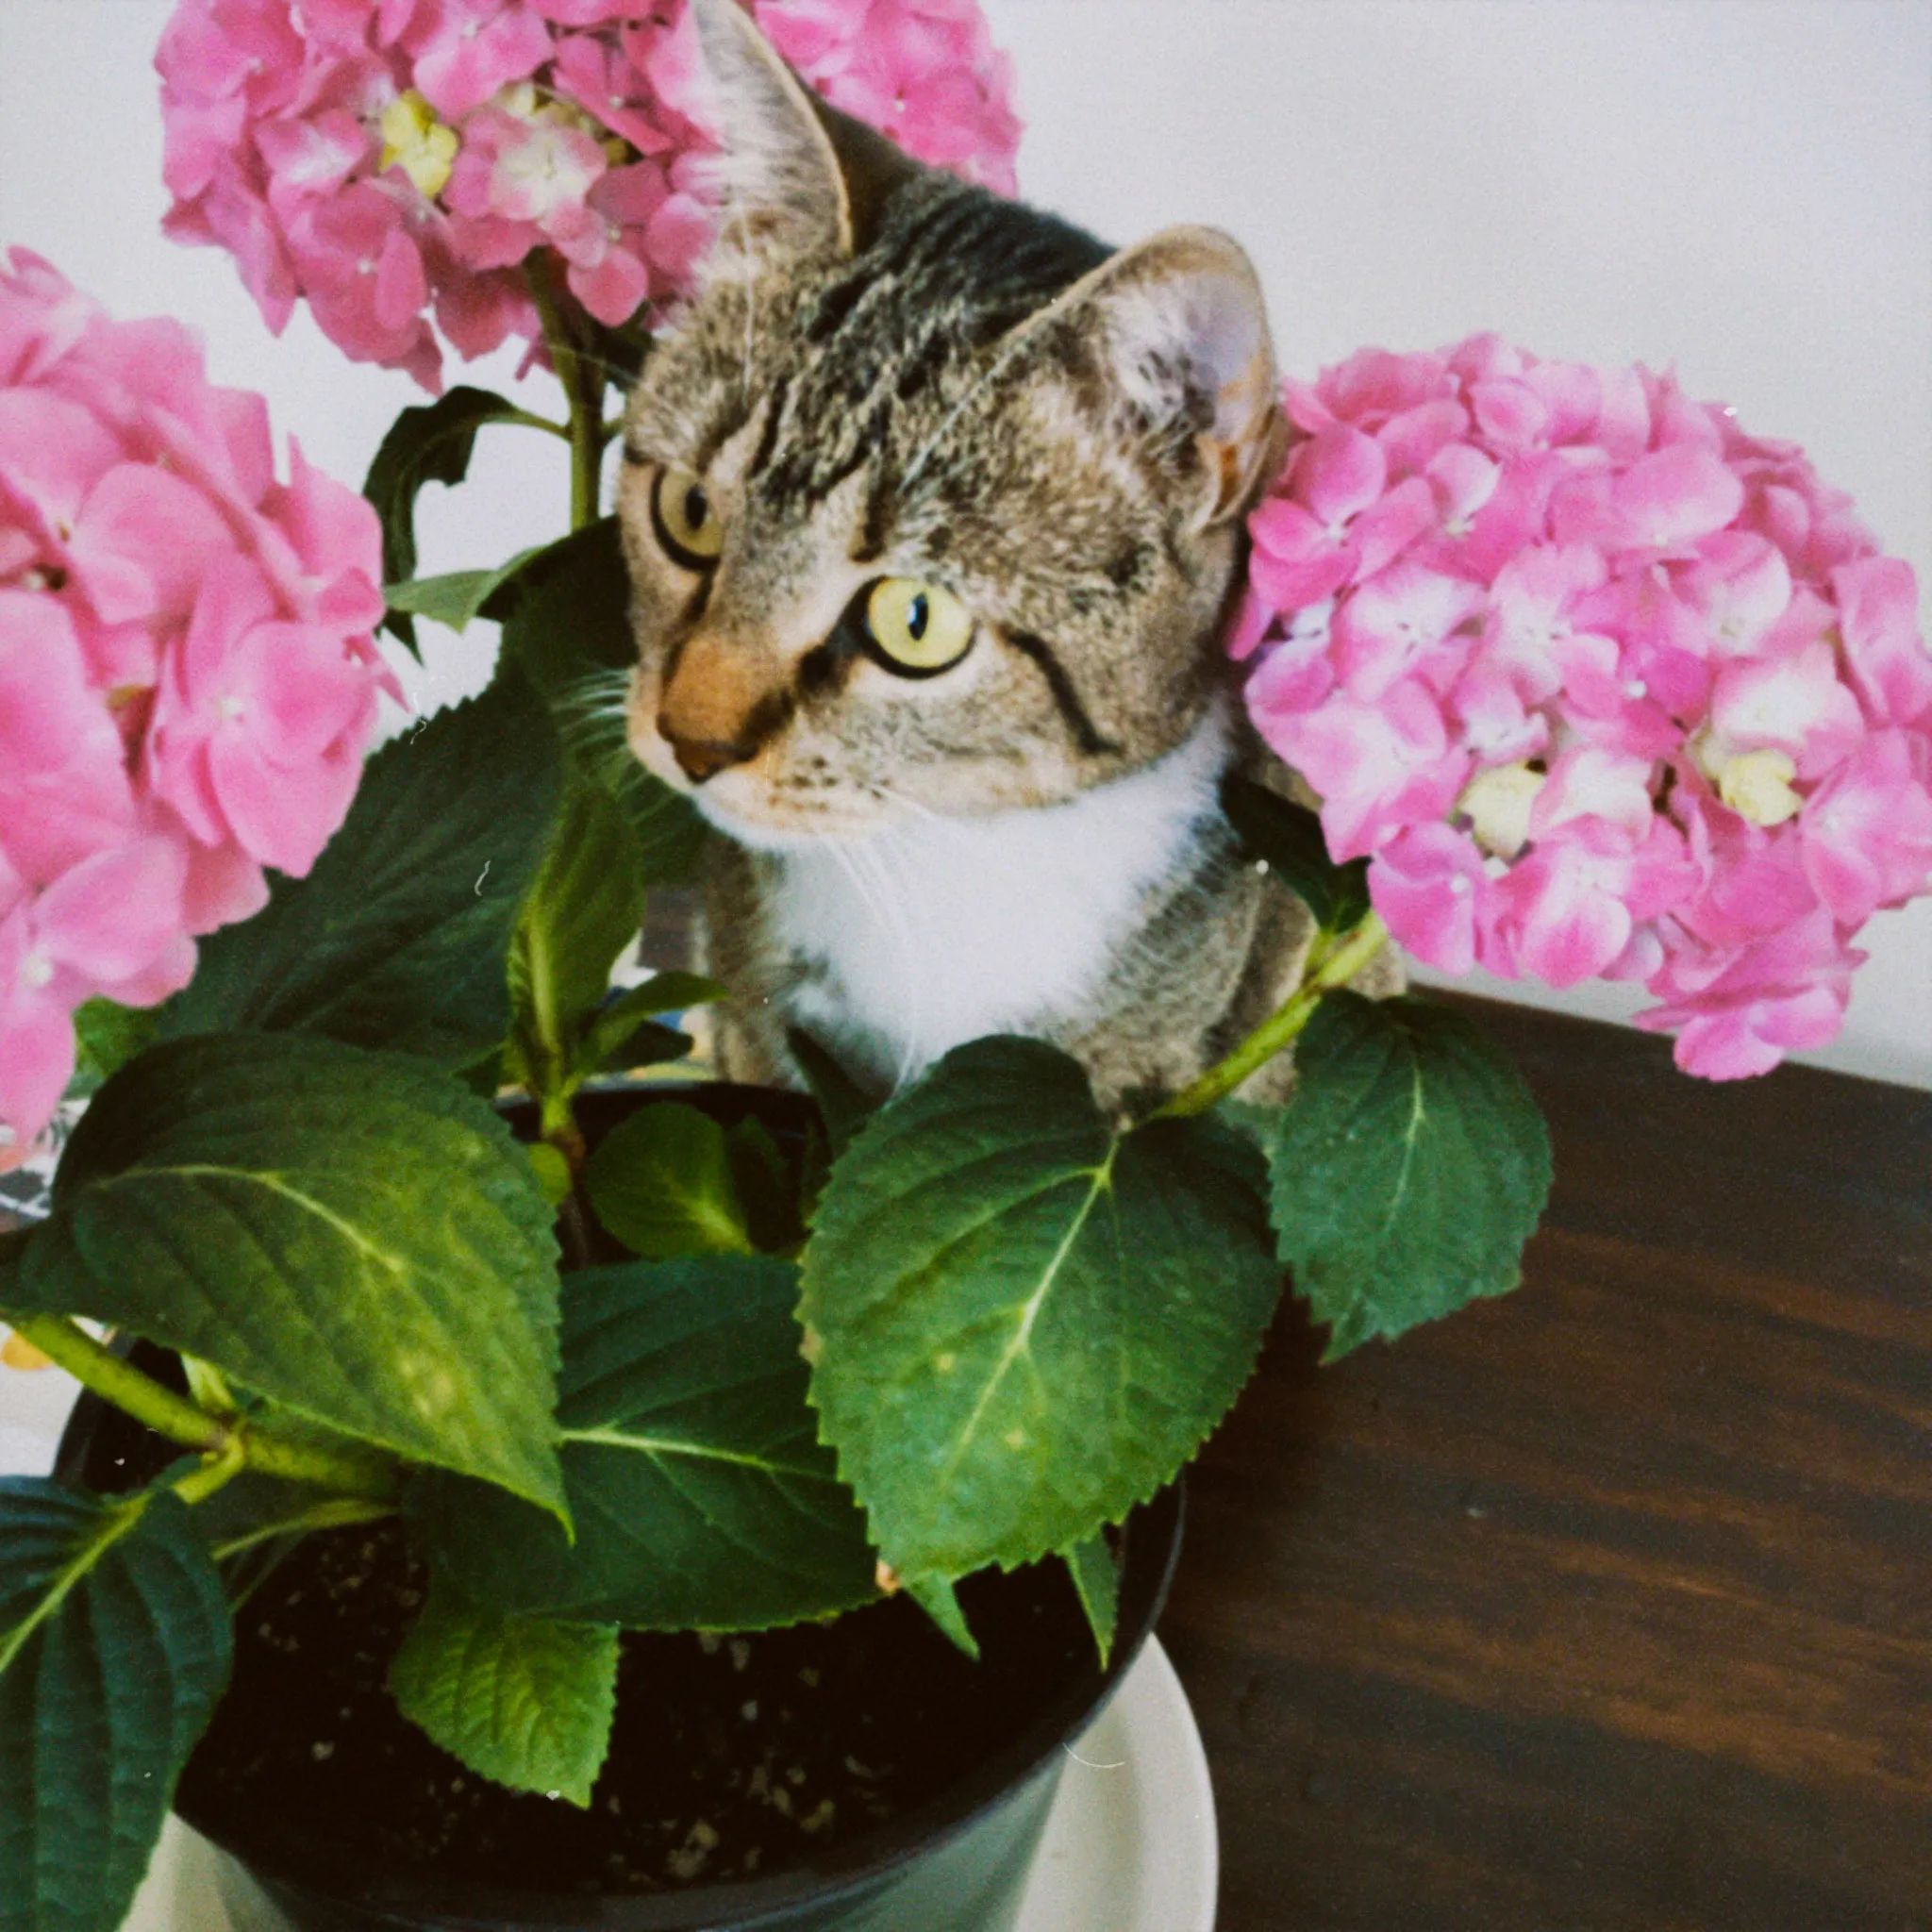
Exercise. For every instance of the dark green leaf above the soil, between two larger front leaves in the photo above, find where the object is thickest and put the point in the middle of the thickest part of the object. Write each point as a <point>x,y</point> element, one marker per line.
<point>696,1481</point>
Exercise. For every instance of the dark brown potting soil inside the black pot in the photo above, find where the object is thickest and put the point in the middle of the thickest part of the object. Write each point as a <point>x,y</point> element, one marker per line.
<point>731,1755</point>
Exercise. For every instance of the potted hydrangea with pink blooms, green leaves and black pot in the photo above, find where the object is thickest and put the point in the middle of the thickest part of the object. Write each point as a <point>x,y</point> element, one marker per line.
<point>453,1319</point>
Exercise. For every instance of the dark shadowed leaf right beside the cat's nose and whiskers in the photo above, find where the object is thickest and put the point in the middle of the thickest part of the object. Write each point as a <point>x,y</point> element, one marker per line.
<point>571,633</point>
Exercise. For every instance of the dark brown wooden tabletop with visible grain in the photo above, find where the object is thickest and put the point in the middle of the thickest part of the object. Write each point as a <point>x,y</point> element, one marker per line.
<point>1606,1605</point>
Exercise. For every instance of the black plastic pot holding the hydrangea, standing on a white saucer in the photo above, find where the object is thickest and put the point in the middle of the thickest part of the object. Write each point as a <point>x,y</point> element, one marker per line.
<point>955,1865</point>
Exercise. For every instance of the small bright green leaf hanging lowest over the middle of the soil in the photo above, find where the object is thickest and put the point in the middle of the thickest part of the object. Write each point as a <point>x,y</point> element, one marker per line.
<point>523,1701</point>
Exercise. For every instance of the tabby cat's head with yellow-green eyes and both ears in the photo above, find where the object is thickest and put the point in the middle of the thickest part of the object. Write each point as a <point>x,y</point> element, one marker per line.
<point>932,503</point>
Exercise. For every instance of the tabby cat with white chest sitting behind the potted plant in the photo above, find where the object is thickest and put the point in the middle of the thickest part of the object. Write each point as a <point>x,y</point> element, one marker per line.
<point>934,517</point>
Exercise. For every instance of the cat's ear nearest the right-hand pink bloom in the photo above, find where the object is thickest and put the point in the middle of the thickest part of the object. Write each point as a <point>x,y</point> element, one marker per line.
<point>1181,329</point>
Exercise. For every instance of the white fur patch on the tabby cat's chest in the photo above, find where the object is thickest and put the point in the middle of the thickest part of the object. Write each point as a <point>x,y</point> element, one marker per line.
<point>946,930</point>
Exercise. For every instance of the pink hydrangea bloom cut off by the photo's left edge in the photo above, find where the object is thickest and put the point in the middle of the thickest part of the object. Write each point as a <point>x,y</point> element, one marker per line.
<point>188,677</point>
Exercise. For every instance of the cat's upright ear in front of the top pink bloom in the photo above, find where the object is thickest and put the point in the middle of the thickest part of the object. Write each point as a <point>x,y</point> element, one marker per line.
<point>793,179</point>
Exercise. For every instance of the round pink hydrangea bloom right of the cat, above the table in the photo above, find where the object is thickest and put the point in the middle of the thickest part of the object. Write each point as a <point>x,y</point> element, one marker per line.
<point>1599,683</point>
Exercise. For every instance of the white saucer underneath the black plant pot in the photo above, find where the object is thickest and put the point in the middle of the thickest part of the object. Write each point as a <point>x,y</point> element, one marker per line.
<point>1129,1848</point>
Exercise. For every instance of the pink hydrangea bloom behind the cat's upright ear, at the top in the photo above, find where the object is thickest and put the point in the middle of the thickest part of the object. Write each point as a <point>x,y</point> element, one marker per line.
<point>397,159</point>
